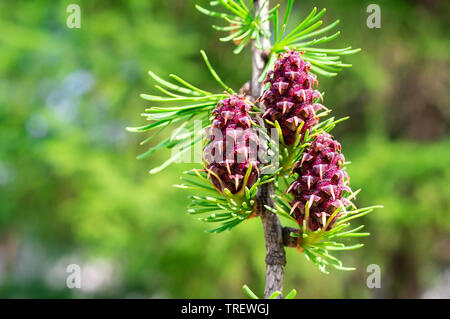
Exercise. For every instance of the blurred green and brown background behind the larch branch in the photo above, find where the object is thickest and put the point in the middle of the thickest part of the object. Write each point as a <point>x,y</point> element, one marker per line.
<point>72,191</point>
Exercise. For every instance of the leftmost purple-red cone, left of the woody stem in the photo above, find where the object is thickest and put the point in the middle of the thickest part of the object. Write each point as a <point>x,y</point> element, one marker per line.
<point>231,154</point>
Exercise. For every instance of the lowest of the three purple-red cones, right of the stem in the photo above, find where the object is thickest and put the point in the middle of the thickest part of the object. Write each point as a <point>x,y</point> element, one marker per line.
<point>320,184</point>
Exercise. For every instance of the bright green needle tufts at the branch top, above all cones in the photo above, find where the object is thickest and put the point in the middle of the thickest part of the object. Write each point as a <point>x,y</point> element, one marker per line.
<point>306,36</point>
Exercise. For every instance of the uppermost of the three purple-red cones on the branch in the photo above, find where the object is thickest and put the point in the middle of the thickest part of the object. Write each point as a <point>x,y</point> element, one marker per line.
<point>290,98</point>
